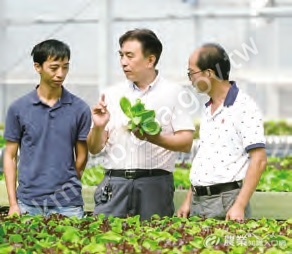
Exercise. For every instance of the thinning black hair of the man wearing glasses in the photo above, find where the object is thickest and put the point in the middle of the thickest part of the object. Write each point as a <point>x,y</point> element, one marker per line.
<point>213,56</point>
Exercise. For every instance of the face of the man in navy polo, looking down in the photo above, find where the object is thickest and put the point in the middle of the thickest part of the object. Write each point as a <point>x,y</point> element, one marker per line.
<point>53,71</point>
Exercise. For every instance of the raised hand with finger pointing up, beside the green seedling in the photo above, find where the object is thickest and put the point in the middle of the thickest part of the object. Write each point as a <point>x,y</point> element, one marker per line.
<point>100,114</point>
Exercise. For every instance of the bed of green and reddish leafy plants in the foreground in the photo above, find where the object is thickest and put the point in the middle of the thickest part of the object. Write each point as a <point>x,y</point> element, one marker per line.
<point>58,234</point>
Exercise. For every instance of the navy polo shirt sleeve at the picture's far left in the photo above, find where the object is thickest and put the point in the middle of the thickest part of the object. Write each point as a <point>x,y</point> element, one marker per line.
<point>12,130</point>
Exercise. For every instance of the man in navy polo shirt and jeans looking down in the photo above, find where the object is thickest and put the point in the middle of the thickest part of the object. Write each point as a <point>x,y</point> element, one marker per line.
<point>49,125</point>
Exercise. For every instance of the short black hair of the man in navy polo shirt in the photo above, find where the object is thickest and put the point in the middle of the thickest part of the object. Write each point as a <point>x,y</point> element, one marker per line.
<point>50,48</point>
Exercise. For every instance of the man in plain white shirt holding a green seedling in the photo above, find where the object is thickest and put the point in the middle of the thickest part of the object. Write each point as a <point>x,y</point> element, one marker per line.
<point>138,178</point>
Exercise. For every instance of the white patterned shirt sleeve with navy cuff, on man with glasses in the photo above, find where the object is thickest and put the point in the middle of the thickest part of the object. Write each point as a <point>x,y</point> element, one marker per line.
<point>250,127</point>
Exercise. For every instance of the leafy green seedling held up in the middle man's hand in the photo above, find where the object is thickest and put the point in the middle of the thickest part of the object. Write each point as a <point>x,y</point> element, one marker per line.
<point>140,118</point>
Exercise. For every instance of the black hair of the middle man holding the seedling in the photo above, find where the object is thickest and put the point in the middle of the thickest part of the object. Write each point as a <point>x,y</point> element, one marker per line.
<point>150,42</point>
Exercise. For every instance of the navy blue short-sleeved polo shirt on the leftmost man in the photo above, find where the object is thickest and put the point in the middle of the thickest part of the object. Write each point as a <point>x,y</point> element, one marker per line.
<point>47,137</point>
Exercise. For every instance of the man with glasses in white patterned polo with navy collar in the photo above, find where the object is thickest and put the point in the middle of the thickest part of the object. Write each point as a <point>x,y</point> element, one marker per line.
<point>231,154</point>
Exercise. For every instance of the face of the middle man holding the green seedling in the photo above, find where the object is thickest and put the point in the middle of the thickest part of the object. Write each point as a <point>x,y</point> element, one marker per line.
<point>133,62</point>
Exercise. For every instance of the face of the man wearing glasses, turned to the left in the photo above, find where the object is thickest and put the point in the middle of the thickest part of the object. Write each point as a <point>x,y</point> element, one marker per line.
<point>200,78</point>
